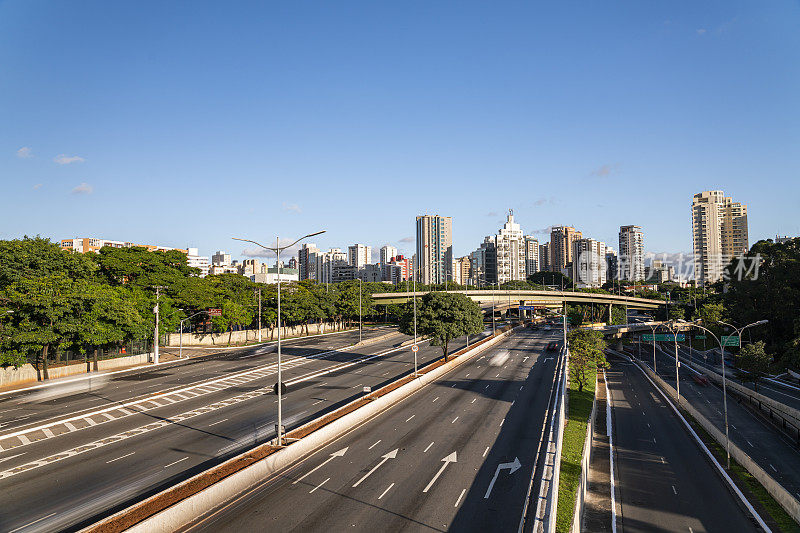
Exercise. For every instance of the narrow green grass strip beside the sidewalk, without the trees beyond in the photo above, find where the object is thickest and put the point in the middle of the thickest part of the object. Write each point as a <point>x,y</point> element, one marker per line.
<point>580,408</point>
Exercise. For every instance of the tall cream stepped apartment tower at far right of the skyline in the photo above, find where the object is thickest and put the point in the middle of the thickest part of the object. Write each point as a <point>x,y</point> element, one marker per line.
<point>719,233</point>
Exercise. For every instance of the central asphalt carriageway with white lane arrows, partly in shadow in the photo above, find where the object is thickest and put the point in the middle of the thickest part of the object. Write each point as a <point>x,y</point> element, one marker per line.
<point>456,455</point>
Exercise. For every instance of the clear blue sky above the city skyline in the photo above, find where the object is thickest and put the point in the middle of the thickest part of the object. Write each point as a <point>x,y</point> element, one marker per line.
<point>186,123</point>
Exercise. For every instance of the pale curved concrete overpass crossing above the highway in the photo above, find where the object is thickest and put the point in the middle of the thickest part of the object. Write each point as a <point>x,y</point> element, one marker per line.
<point>513,298</point>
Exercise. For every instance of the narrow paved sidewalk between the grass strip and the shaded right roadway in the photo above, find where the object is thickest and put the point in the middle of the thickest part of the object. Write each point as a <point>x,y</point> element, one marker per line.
<point>597,510</point>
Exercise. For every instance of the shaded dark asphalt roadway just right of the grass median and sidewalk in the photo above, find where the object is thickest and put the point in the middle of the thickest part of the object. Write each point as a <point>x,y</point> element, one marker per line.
<point>664,480</point>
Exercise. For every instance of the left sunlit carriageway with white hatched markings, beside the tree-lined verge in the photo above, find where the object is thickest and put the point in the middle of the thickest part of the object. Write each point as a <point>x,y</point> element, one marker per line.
<point>68,459</point>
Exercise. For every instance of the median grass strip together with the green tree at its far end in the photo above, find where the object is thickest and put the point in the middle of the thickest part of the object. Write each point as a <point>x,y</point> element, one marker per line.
<point>586,355</point>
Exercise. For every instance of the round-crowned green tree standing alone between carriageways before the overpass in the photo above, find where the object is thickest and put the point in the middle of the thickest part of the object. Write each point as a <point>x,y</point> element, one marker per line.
<point>443,317</point>
